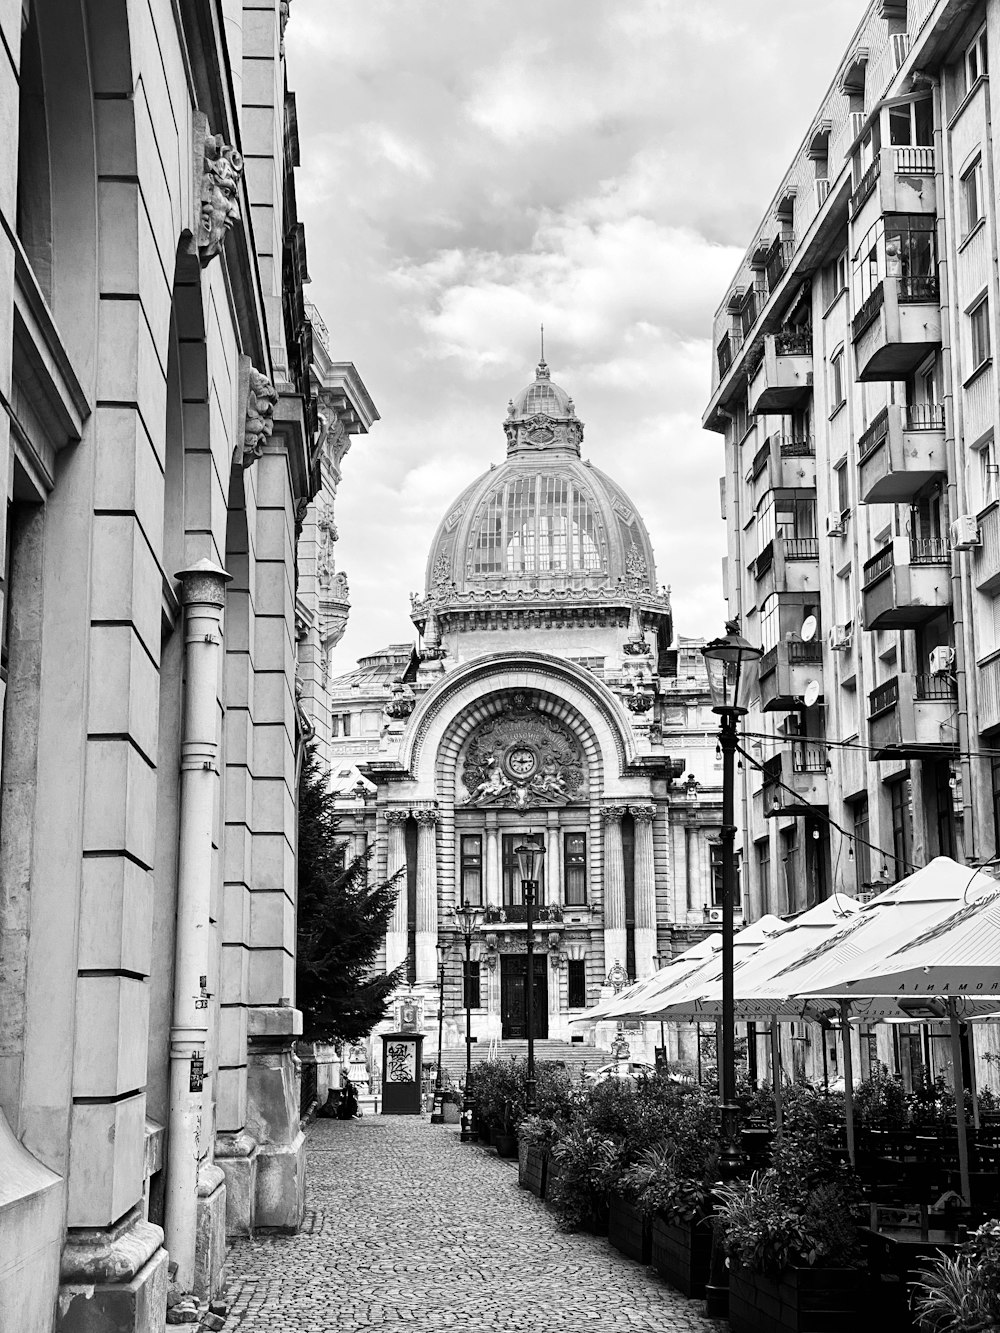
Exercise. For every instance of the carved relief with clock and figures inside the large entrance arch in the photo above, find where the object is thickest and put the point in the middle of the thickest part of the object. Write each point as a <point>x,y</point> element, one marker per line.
<point>523,759</point>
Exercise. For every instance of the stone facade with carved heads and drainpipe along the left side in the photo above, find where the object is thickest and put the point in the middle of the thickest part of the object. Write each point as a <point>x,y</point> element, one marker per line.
<point>155,375</point>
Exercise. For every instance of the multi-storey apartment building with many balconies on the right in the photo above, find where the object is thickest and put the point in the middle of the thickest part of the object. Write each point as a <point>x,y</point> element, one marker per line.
<point>855,387</point>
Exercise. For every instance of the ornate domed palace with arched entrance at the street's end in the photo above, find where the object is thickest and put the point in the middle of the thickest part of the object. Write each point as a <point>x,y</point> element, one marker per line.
<point>547,703</point>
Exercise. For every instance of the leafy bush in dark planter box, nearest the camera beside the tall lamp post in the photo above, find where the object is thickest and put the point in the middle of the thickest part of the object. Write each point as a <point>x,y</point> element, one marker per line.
<point>791,1236</point>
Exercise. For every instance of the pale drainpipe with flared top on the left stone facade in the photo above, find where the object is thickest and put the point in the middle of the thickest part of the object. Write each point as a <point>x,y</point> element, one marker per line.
<point>203,598</point>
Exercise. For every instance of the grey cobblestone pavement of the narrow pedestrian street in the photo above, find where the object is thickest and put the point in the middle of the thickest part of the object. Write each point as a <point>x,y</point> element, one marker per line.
<point>407,1228</point>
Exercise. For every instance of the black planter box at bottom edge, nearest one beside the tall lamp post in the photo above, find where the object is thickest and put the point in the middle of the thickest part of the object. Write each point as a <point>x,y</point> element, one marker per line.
<point>801,1300</point>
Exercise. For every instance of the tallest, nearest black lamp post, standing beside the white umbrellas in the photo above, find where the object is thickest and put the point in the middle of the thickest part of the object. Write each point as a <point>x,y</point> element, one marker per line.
<point>733,674</point>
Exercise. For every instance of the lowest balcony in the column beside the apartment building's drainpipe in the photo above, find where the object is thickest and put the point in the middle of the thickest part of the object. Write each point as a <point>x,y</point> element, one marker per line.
<point>914,716</point>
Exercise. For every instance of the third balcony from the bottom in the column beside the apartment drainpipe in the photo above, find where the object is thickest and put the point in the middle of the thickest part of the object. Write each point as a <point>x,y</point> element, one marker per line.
<point>901,453</point>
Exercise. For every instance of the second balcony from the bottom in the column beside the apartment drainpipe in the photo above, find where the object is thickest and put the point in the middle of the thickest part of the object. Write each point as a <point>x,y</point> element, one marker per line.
<point>907,583</point>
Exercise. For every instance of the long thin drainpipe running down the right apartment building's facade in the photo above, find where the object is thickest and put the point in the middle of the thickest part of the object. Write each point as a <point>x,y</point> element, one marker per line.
<point>958,501</point>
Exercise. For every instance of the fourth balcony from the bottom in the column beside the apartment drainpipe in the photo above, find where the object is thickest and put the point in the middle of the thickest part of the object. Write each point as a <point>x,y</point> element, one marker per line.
<point>897,329</point>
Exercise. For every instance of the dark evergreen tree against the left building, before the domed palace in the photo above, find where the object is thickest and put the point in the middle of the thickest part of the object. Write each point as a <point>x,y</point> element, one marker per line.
<point>342,923</point>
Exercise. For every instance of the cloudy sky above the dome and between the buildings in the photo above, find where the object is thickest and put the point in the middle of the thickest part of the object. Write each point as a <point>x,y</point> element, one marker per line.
<point>473,170</point>
